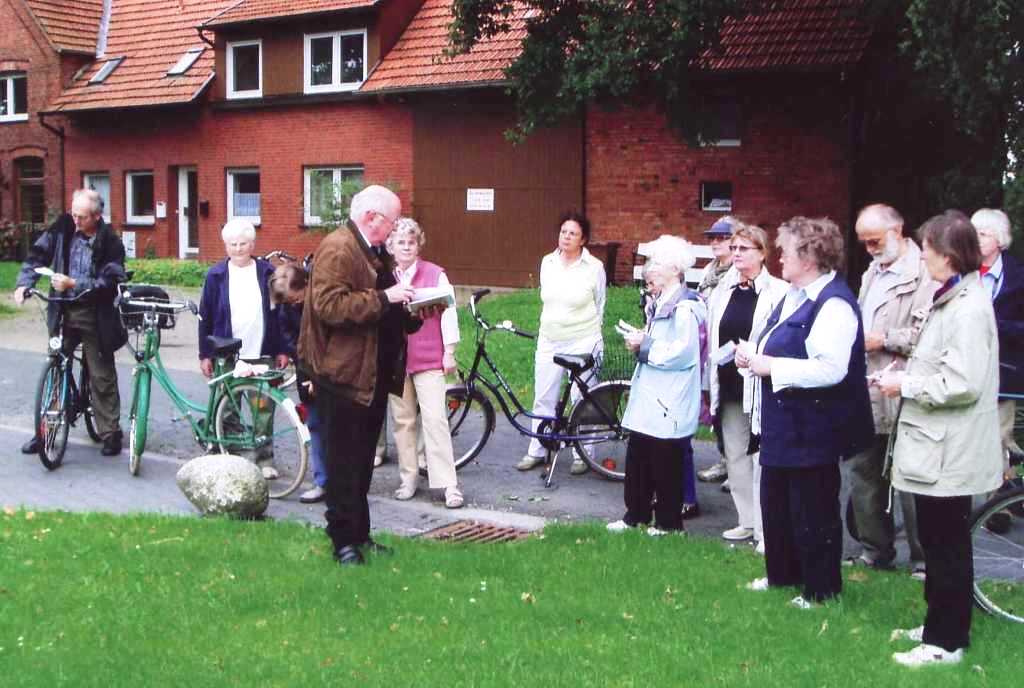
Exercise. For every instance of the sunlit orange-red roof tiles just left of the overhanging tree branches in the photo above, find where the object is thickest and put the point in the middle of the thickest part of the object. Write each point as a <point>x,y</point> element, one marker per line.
<point>417,61</point>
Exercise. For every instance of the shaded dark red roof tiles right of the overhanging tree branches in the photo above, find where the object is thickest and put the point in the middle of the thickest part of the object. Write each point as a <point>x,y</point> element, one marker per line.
<point>793,35</point>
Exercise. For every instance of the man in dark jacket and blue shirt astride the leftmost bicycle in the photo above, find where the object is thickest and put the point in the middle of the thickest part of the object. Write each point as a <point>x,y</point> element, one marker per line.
<point>86,255</point>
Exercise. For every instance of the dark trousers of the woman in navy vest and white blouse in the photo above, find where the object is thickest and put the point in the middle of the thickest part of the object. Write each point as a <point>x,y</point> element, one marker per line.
<point>803,529</point>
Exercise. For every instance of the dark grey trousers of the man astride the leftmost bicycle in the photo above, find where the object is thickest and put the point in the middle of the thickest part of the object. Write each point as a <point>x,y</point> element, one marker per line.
<point>80,322</point>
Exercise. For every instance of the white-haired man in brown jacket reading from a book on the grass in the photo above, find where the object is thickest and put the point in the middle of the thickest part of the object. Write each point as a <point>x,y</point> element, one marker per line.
<point>352,346</point>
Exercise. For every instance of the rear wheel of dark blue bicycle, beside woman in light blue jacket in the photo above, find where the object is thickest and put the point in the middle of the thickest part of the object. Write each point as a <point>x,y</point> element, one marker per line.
<point>601,417</point>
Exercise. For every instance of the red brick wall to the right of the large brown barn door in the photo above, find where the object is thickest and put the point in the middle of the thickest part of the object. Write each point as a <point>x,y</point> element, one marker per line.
<point>644,182</point>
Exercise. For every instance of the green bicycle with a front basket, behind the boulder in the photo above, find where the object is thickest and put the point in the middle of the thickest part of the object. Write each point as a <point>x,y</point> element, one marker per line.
<point>245,416</point>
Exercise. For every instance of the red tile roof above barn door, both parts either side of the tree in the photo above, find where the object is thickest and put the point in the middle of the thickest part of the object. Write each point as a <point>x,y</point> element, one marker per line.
<point>787,35</point>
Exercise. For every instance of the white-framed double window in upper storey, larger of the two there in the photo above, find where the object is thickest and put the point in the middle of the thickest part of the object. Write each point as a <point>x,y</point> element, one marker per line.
<point>335,62</point>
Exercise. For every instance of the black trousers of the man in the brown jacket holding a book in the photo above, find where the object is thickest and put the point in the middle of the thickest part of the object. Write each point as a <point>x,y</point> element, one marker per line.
<point>350,435</point>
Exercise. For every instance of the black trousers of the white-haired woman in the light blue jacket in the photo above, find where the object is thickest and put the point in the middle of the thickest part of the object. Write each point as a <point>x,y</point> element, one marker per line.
<point>655,469</point>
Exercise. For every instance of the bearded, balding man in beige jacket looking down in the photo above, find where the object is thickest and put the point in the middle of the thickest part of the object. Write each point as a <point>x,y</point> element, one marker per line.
<point>895,297</point>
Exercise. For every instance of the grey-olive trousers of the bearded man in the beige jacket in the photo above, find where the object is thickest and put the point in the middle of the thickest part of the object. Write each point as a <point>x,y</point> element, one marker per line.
<point>870,494</point>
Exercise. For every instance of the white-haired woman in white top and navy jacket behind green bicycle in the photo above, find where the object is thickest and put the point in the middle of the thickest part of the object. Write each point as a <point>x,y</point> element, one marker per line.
<point>236,304</point>
